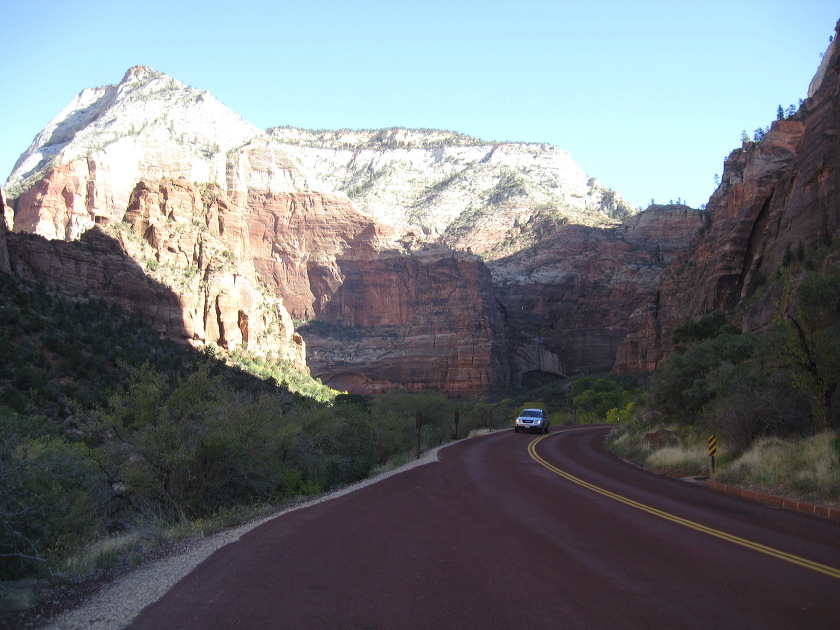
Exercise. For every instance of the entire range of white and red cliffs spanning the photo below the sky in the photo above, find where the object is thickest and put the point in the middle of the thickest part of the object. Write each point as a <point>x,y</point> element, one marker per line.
<point>404,258</point>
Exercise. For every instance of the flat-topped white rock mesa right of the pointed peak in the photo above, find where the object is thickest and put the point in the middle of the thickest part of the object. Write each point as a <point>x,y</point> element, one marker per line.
<point>442,186</point>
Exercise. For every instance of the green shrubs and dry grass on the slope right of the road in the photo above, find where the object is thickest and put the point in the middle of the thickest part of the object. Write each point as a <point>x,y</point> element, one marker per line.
<point>771,399</point>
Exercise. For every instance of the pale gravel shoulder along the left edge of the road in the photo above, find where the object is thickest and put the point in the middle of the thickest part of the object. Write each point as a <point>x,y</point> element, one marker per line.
<point>114,603</point>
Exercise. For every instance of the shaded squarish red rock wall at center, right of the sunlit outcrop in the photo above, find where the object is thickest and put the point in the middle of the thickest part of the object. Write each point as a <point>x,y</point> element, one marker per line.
<point>424,321</point>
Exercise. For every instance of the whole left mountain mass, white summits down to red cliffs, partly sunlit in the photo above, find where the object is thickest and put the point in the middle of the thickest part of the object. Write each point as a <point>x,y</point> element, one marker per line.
<point>220,211</point>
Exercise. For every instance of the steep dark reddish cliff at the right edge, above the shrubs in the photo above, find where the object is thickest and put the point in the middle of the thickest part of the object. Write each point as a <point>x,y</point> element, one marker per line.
<point>779,197</point>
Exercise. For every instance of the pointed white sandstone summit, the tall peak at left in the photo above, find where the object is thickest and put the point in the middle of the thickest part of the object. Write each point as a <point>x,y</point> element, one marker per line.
<point>146,125</point>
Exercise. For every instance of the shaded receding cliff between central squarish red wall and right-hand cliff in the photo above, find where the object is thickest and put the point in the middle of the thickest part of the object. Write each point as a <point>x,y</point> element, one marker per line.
<point>569,299</point>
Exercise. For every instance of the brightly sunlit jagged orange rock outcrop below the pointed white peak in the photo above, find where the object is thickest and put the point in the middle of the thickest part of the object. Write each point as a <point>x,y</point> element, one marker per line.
<point>198,242</point>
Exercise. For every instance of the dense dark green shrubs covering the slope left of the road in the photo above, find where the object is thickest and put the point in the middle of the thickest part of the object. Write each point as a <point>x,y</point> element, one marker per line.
<point>108,433</point>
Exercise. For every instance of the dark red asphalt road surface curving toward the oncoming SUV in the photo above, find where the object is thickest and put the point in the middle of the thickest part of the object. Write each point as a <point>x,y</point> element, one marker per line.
<point>488,538</point>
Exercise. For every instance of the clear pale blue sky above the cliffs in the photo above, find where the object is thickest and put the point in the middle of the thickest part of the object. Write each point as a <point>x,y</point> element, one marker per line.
<point>649,97</point>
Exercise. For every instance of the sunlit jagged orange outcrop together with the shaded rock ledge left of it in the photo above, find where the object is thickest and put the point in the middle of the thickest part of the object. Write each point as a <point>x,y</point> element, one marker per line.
<point>170,262</point>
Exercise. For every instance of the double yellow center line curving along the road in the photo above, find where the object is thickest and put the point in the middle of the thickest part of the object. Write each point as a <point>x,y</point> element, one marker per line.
<point>743,542</point>
